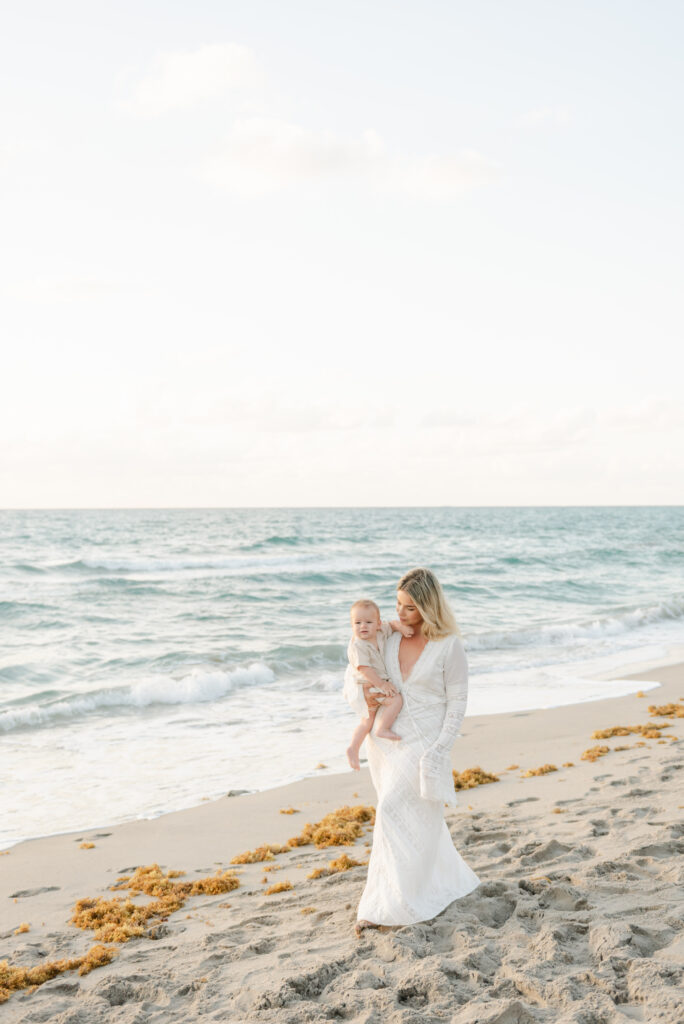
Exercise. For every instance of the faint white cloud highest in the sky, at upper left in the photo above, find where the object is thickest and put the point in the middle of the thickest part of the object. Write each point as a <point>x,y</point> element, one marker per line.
<point>180,81</point>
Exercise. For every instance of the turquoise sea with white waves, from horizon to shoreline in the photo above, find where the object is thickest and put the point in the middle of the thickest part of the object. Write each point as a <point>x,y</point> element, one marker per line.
<point>151,659</point>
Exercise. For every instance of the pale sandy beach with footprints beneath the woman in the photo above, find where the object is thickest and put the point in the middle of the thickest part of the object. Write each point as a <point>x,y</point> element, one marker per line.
<point>579,917</point>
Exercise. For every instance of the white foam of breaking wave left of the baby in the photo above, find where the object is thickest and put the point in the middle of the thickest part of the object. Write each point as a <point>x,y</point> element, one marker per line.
<point>197,688</point>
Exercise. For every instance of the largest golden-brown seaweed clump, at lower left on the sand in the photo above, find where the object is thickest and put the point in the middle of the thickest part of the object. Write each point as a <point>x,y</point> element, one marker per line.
<point>117,920</point>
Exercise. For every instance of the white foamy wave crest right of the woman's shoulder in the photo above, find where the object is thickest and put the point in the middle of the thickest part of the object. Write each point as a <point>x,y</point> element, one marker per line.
<point>595,629</point>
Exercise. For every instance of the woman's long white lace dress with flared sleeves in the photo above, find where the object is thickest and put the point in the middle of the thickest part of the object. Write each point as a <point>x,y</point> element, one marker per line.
<point>415,871</point>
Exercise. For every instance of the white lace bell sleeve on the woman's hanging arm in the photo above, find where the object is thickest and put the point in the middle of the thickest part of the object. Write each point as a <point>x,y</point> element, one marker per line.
<point>436,763</point>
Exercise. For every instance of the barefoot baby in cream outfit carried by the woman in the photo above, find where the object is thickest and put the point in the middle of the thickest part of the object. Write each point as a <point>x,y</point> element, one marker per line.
<point>366,655</point>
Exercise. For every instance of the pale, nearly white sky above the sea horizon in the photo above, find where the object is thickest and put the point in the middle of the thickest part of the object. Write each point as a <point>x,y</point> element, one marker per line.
<point>363,252</point>
